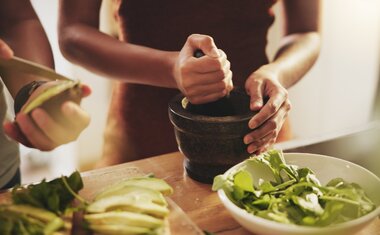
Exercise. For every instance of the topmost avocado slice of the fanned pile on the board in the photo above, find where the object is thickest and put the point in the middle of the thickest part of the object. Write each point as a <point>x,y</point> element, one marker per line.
<point>145,182</point>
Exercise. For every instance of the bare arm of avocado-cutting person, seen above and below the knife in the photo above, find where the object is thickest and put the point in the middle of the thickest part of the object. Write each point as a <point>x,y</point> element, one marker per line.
<point>21,29</point>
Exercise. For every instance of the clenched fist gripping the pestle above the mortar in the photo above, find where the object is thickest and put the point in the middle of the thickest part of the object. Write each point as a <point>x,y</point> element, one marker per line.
<point>203,79</point>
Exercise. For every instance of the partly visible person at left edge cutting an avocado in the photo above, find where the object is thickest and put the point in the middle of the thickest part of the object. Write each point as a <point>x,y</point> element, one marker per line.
<point>21,30</point>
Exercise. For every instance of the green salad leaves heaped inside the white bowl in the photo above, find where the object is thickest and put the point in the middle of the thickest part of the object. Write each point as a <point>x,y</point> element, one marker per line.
<point>294,196</point>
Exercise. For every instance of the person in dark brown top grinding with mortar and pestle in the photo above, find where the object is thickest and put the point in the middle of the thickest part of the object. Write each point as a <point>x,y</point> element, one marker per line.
<point>151,63</point>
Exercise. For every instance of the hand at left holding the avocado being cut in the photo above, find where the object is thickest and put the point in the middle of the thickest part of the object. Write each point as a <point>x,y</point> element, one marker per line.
<point>39,130</point>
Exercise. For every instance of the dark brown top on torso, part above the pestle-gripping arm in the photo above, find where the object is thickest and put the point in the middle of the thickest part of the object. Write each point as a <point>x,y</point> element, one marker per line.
<point>238,27</point>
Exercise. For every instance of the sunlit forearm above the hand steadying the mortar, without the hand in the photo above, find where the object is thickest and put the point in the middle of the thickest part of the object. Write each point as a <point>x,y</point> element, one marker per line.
<point>295,57</point>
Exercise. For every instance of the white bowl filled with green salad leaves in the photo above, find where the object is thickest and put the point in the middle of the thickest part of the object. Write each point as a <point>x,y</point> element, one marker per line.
<point>299,193</point>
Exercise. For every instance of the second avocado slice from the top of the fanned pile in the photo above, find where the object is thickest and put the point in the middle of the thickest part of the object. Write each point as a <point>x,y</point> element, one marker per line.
<point>135,191</point>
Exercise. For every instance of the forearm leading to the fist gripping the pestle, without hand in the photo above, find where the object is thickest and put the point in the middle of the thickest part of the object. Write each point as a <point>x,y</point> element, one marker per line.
<point>104,55</point>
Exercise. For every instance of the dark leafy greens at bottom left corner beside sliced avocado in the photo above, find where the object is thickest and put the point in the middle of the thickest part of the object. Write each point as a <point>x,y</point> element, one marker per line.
<point>37,209</point>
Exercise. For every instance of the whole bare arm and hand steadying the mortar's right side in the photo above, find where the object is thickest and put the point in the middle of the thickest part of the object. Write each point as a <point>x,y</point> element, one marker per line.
<point>299,51</point>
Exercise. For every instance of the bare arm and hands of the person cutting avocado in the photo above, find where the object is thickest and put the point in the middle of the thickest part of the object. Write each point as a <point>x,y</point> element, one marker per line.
<point>23,33</point>
